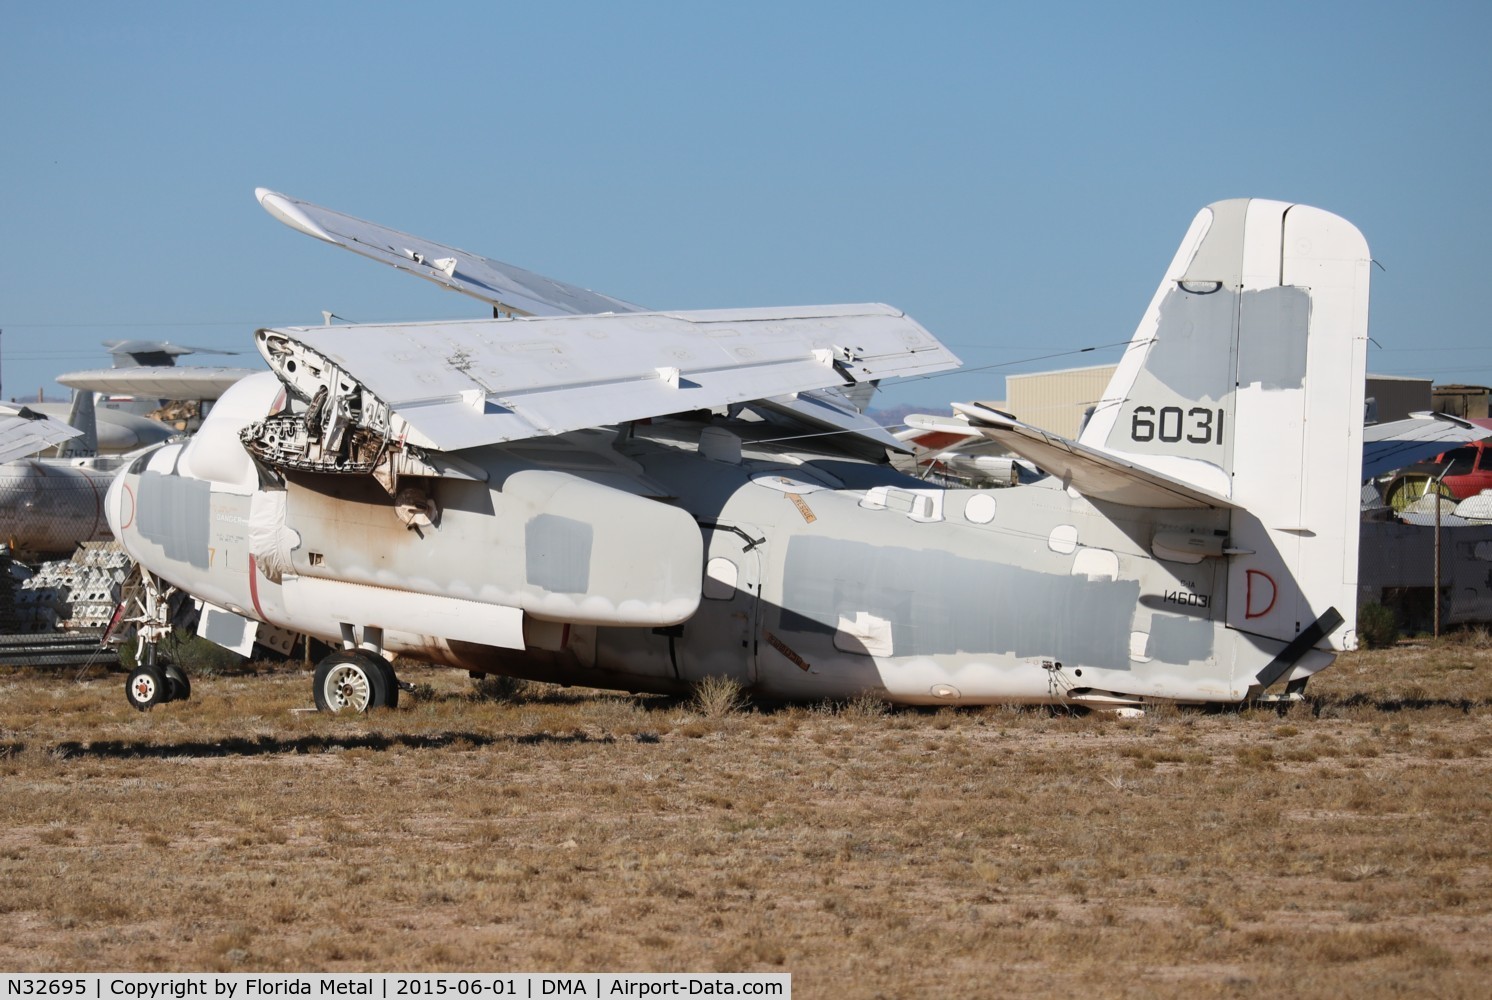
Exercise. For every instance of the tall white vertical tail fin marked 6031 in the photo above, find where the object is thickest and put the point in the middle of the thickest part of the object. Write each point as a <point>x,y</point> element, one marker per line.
<point>1247,378</point>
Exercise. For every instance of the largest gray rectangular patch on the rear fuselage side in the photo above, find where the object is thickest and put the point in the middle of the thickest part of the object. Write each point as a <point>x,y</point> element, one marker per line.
<point>944,604</point>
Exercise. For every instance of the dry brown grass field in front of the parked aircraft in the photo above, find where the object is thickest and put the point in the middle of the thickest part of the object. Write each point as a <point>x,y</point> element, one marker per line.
<point>1341,849</point>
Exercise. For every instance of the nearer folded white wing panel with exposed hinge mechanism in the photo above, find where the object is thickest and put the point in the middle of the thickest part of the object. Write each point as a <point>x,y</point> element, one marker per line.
<point>477,383</point>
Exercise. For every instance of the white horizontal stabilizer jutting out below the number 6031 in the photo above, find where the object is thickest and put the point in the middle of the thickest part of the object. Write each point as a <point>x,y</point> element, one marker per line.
<point>1094,474</point>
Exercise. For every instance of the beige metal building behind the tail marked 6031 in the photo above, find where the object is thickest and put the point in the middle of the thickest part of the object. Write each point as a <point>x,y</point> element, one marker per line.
<point>1060,401</point>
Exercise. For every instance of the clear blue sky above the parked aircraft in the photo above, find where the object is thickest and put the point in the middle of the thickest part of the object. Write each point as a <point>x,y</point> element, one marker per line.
<point>1014,177</point>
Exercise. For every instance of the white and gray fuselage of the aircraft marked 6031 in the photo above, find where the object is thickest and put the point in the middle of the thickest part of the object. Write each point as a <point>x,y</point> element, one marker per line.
<point>800,575</point>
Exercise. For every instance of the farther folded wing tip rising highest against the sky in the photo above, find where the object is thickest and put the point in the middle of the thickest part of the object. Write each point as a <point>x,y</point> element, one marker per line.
<point>504,286</point>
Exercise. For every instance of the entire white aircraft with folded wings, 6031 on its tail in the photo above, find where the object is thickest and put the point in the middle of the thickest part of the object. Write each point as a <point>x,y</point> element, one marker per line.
<point>590,493</point>
